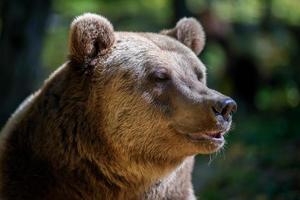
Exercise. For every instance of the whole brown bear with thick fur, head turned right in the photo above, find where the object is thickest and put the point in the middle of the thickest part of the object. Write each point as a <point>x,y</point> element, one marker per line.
<point>121,119</point>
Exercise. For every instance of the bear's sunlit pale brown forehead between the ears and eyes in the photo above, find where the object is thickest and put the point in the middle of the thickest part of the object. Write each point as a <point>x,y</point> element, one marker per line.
<point>136,50</point>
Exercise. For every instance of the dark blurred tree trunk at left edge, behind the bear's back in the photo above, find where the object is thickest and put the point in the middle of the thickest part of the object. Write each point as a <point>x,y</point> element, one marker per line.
<point>22,28</point>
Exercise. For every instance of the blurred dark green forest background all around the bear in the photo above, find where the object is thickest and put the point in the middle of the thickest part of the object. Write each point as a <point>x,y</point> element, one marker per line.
<point>252,54</point>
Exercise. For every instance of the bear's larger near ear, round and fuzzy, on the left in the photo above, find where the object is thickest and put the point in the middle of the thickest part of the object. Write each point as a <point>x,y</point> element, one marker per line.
<point>90,35</point>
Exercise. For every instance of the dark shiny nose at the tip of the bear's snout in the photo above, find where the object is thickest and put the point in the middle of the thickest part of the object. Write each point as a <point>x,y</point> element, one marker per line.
<point>225,107</point>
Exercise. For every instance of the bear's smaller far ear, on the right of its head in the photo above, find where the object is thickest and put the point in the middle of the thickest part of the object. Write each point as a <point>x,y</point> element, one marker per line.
<point>189,32</point>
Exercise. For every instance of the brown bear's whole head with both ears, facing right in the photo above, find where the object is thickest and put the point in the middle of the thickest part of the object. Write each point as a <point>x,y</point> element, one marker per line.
<point>147,91</point>
